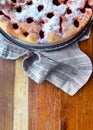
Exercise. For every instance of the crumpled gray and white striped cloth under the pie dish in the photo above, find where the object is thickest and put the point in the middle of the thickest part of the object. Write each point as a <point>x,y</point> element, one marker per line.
<point>68,68</point>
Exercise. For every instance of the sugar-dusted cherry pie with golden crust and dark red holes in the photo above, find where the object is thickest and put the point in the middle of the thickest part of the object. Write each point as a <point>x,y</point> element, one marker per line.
<point>44,21</point>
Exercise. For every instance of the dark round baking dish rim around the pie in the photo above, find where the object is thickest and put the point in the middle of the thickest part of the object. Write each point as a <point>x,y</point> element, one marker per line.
<point>60,45</point>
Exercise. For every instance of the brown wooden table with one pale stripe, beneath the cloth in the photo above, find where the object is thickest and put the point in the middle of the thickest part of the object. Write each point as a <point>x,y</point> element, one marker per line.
<point>24,105</point>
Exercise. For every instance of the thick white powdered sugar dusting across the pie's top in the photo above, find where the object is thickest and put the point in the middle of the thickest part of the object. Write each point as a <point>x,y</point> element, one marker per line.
<point>52,23</point>
